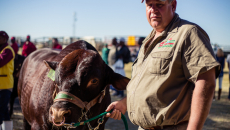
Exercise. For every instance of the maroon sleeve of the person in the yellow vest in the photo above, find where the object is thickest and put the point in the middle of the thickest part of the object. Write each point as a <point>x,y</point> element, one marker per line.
<point>5,57</point>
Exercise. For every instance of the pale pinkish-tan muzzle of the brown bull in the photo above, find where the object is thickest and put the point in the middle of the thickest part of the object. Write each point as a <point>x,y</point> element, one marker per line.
<point>58,116</point>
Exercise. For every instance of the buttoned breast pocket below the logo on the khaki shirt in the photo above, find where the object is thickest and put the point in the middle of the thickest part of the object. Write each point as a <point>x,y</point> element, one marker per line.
<point>160,62</point>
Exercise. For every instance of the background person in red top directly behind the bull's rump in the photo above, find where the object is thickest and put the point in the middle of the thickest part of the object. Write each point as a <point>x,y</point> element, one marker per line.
<point>28,47</point>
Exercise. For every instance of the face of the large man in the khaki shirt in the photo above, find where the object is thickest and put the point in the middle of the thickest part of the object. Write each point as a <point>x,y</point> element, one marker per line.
<point>159,14</point>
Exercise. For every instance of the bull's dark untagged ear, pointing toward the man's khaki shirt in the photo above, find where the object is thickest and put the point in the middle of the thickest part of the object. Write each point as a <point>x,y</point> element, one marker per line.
<point>118,81</point>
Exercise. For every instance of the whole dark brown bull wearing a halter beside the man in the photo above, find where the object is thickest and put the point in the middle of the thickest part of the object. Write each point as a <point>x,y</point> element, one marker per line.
<point>80,75</point>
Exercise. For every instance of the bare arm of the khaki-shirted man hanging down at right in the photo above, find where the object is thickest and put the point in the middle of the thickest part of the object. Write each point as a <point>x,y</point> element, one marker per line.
<point>202,99</point>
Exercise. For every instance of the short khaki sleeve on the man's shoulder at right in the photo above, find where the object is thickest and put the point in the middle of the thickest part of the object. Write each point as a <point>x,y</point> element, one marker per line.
<point>197,55</point>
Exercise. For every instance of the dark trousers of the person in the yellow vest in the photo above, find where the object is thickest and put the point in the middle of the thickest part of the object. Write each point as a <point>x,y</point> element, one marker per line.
<point>4,100</point>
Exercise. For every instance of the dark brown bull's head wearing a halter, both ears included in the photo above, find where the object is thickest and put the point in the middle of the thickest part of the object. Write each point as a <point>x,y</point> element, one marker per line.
<point>81,75</point>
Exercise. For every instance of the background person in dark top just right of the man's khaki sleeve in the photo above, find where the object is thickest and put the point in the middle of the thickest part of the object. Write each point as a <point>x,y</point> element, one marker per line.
<point>221,59</point>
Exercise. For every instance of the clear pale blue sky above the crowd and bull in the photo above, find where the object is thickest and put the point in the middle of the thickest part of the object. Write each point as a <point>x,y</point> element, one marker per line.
<point>102,18</point>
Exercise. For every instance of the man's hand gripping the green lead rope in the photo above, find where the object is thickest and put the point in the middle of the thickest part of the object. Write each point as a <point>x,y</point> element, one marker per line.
<point>118,108</point>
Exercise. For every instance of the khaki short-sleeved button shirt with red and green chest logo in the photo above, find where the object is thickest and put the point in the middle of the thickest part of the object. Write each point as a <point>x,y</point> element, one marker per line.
<point>160,90</point>
